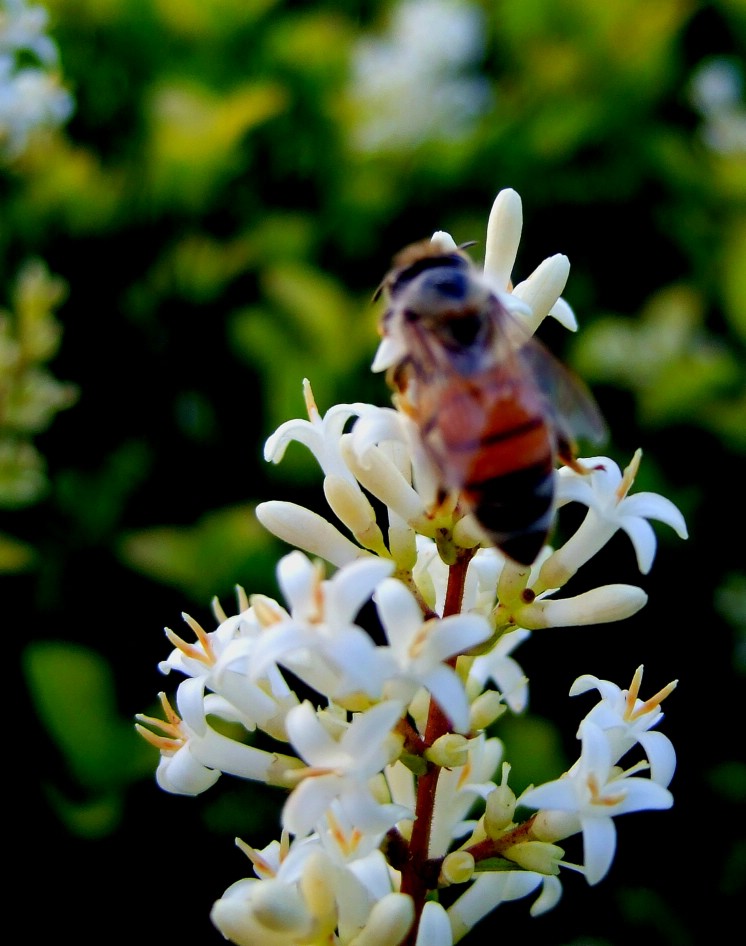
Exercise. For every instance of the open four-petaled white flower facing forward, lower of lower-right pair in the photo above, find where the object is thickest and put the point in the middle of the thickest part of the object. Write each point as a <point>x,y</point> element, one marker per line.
<point>594,792</point>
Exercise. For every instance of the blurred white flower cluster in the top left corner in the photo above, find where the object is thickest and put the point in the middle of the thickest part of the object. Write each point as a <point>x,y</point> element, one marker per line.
<point>31,94</point>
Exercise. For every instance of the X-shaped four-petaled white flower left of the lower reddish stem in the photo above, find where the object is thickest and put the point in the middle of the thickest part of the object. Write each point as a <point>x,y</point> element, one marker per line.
<point>341,769</point>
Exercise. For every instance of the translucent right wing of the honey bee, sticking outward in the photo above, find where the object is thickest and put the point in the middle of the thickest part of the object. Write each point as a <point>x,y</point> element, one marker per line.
<point>570,403</point>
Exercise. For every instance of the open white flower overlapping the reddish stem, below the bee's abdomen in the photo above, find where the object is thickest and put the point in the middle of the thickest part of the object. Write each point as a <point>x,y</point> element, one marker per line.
<point>420,650</point>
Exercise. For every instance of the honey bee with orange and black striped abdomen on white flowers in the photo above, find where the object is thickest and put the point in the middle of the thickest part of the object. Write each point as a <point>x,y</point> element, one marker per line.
<point>495,411</point>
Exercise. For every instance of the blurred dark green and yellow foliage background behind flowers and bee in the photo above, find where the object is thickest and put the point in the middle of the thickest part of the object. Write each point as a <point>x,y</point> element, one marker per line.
<point>197,200</point>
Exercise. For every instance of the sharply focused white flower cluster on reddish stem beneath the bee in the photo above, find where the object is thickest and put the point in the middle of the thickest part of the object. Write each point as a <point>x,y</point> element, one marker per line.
<point>399,823</point>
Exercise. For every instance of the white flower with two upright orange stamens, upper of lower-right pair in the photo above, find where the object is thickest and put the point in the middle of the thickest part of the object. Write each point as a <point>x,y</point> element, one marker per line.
<point>627,720</point>
